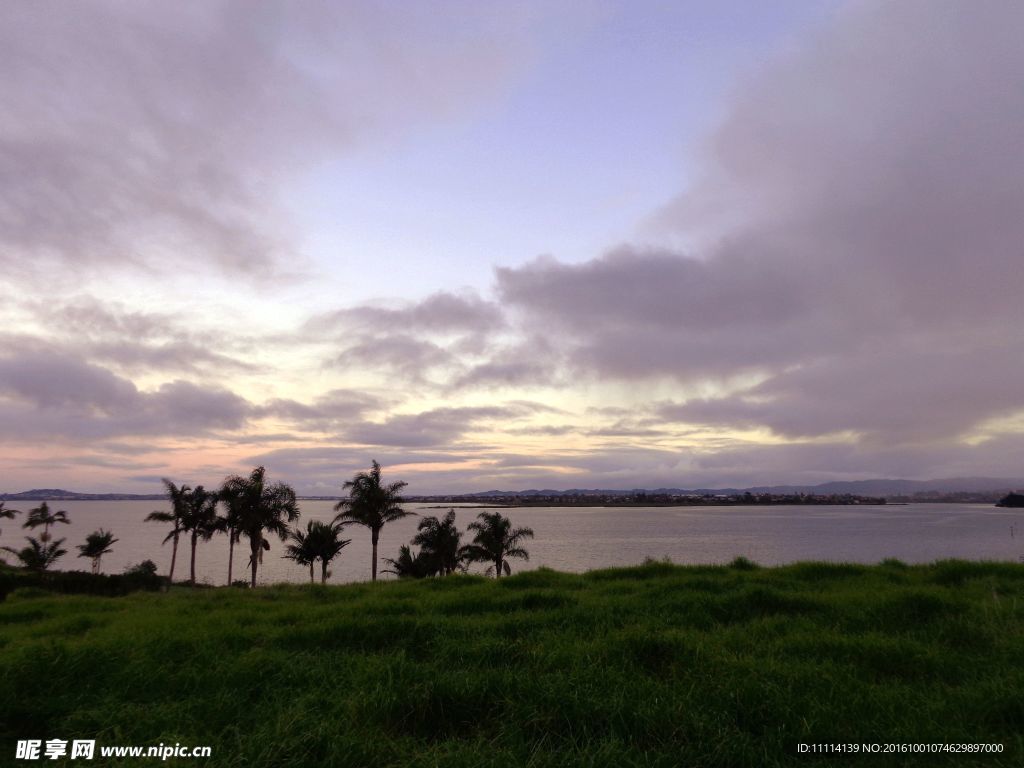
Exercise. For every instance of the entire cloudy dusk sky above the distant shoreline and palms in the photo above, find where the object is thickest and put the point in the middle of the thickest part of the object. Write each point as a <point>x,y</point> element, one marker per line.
<point>532,245</point>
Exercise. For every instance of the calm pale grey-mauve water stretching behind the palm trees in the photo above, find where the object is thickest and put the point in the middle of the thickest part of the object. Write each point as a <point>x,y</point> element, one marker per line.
<point>582,539</point>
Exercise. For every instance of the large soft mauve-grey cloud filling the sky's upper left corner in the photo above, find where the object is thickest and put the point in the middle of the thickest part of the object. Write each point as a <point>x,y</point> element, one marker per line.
<point>153,135</point>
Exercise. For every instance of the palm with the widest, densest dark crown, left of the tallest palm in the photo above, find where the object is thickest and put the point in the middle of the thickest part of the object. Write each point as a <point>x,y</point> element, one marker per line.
<point>262,508</point>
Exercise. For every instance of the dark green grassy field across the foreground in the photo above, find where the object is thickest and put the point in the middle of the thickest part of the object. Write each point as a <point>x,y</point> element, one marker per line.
<point>652,666</point>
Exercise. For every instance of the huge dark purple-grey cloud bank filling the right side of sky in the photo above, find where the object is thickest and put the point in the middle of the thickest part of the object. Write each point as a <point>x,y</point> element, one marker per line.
<point>855,242</point>
